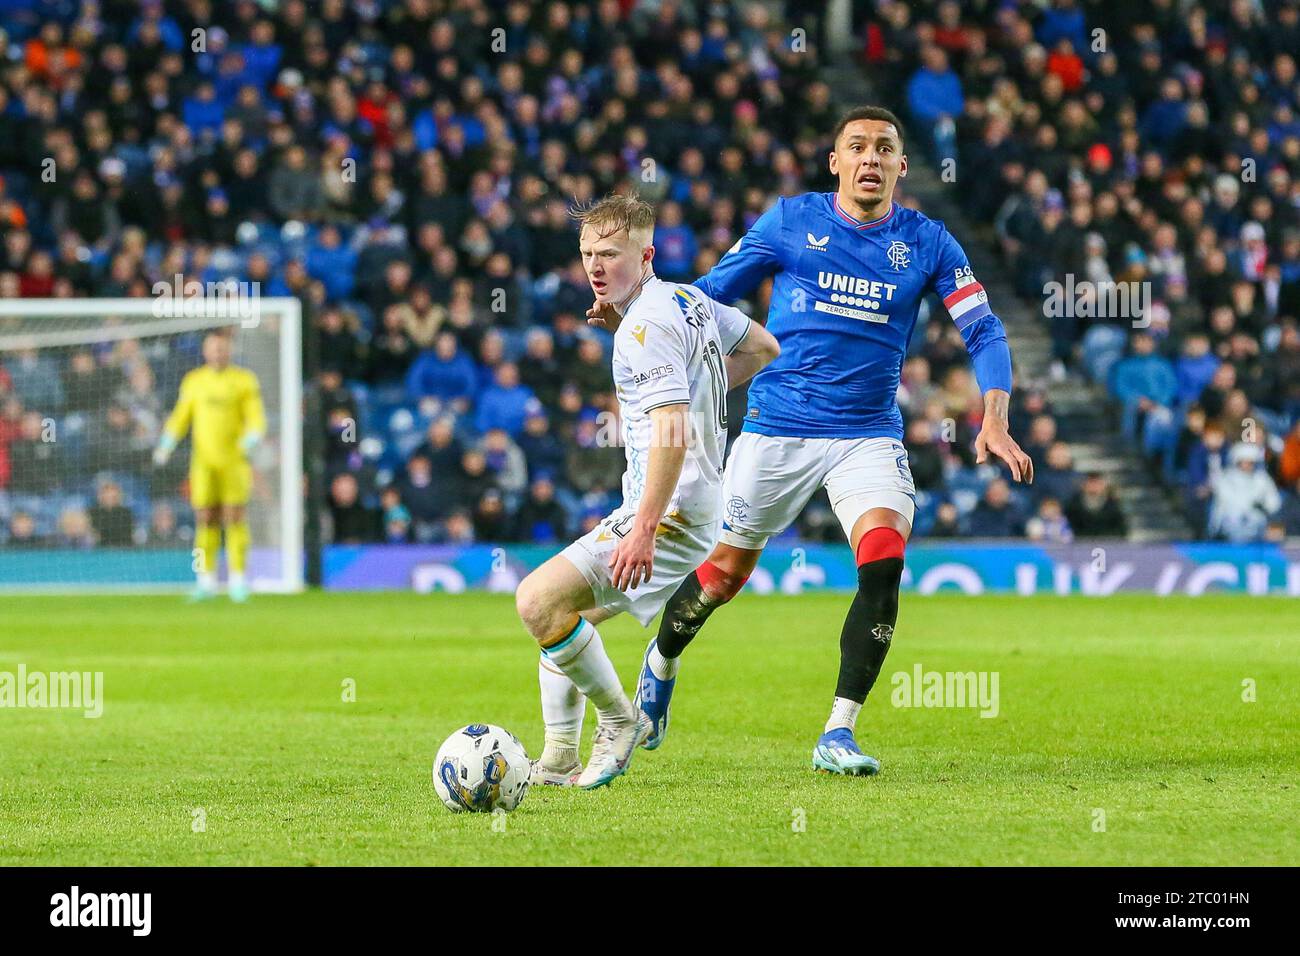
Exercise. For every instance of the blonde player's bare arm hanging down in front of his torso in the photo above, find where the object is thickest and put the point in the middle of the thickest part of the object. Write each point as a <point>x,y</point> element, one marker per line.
<point>634,560</point>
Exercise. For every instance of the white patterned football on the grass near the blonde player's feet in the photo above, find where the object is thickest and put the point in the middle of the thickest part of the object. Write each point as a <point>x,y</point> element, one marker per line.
<point>482,768</point>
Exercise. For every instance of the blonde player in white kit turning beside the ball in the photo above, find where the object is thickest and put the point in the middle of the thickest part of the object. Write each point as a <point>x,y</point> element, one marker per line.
<point>677,353</point>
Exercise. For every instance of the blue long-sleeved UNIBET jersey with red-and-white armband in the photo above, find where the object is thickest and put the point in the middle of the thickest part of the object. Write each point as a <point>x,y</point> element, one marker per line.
<point>846,299</point>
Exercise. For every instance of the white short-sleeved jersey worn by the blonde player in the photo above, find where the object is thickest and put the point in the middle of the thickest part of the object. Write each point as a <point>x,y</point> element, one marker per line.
<point>670,351</point>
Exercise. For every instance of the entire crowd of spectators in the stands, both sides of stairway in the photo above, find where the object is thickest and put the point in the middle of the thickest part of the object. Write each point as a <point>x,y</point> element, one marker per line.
<point>406,170</point>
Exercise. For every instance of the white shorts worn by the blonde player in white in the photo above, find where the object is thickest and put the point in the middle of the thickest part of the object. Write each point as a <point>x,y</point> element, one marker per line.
<point>677,555</point>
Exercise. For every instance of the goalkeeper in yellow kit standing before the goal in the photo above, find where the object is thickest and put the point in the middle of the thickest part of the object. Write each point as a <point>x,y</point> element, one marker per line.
<point>223,404</point>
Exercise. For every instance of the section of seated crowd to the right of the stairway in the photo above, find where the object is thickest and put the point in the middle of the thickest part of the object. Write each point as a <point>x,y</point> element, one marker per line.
<point>1155,144</point>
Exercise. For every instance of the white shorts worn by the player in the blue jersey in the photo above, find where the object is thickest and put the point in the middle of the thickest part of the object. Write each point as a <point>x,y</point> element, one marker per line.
<point>770,479</point>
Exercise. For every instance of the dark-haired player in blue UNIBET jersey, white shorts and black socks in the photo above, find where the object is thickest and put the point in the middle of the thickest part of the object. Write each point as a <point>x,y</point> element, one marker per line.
<point>850,271</point>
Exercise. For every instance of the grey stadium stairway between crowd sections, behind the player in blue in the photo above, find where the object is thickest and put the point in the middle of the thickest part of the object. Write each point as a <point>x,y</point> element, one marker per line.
<point>1086,417</point>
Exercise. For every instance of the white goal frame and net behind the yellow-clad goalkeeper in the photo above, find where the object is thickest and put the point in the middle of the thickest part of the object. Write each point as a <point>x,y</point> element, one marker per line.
<point>85,390</point>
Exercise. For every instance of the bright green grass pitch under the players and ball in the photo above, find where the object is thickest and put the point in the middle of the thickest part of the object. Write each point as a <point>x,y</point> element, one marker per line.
<point>1123,737</point>
